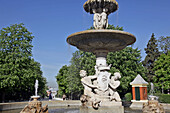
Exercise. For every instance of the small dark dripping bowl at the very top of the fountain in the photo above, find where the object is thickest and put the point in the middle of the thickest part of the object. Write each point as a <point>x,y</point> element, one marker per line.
<point>98,6</point>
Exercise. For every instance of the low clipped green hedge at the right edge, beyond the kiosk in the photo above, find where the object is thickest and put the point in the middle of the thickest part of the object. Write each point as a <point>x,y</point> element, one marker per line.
<point>163,98</point>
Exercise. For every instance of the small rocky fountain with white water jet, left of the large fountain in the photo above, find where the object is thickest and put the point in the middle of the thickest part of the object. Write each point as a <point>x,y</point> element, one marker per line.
<point>35,106</point>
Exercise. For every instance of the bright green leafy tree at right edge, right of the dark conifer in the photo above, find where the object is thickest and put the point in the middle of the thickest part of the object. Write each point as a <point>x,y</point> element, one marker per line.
<point>162,72</point>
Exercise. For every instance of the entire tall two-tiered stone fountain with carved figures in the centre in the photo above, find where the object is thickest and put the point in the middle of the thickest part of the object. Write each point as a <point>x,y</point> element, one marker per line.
<point>100,93</point>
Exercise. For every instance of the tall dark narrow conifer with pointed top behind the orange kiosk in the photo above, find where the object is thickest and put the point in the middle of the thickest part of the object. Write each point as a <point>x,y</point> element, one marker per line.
<point>152,55</point>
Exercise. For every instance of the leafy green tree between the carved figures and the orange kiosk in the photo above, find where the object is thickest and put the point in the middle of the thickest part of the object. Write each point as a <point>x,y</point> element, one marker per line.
<point>128,63</point>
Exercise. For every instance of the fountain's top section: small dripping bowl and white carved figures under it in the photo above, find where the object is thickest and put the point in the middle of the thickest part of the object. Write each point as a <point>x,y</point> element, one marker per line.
<point>101,9</point>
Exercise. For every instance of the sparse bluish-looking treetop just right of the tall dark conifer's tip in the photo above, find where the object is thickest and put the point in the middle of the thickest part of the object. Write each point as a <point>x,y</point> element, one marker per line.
<point>164,44</point>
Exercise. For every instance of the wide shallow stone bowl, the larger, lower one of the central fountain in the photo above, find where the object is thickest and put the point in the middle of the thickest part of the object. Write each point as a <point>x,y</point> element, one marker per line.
<point>101,40</point>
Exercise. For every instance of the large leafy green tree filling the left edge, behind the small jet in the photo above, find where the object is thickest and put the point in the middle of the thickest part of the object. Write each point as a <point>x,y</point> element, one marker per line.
<point>18,70</point>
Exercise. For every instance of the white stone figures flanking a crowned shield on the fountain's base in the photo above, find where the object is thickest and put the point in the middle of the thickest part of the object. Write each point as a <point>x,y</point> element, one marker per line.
<point>100,87</point>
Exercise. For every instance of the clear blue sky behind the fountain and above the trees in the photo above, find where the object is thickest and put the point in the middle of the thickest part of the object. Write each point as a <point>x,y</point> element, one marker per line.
<point>52,21</point>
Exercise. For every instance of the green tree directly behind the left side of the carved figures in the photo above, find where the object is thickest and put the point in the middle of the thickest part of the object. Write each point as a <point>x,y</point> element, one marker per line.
<point>68,78</point>
